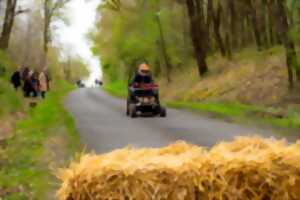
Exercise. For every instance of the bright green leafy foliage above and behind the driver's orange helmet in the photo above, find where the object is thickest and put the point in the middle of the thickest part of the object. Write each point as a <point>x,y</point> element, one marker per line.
<point>133,37</point>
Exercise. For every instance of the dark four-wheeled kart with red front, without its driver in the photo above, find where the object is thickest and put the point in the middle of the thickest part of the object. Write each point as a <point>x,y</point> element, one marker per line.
<point>144,99</point>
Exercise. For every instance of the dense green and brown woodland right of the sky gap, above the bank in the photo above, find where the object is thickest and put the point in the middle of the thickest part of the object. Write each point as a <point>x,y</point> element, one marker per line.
<point>181,34</point>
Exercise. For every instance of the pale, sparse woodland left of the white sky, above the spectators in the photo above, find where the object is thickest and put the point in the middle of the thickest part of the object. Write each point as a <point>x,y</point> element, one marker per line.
<point>28,36</point>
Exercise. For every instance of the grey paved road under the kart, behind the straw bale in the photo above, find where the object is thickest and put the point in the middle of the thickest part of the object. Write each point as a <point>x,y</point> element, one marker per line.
<point>103,125</point>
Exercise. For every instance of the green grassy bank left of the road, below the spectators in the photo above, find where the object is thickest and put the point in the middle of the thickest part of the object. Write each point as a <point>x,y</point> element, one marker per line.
<point>25,160</point>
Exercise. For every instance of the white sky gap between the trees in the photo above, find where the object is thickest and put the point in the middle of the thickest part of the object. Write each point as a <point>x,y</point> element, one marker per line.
<point>81,15</point>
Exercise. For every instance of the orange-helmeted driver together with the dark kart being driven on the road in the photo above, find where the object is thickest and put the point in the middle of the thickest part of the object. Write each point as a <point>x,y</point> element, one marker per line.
<point>143,95</point>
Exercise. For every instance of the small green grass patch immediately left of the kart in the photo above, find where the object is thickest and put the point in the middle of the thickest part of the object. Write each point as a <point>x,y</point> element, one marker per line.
<point>116,88</point>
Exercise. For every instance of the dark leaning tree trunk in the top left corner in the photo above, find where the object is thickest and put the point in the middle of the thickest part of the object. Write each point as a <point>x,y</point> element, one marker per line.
<point>8,23</point>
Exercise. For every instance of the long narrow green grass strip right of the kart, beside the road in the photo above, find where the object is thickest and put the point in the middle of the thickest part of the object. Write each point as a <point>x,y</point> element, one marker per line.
<point>243,113</point>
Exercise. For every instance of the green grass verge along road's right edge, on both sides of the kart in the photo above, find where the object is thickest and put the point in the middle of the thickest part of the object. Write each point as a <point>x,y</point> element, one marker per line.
<point>237,112</point>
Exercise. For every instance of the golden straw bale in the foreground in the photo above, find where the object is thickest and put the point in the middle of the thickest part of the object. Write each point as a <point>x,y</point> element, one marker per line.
<point>248,168</point>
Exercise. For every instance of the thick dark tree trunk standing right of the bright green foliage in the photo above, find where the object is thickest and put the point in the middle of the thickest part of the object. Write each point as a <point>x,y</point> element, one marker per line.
<point>198,34</point>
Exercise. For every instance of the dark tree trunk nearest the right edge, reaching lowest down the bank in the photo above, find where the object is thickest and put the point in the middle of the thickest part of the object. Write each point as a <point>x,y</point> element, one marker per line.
<point>282,29</point>
